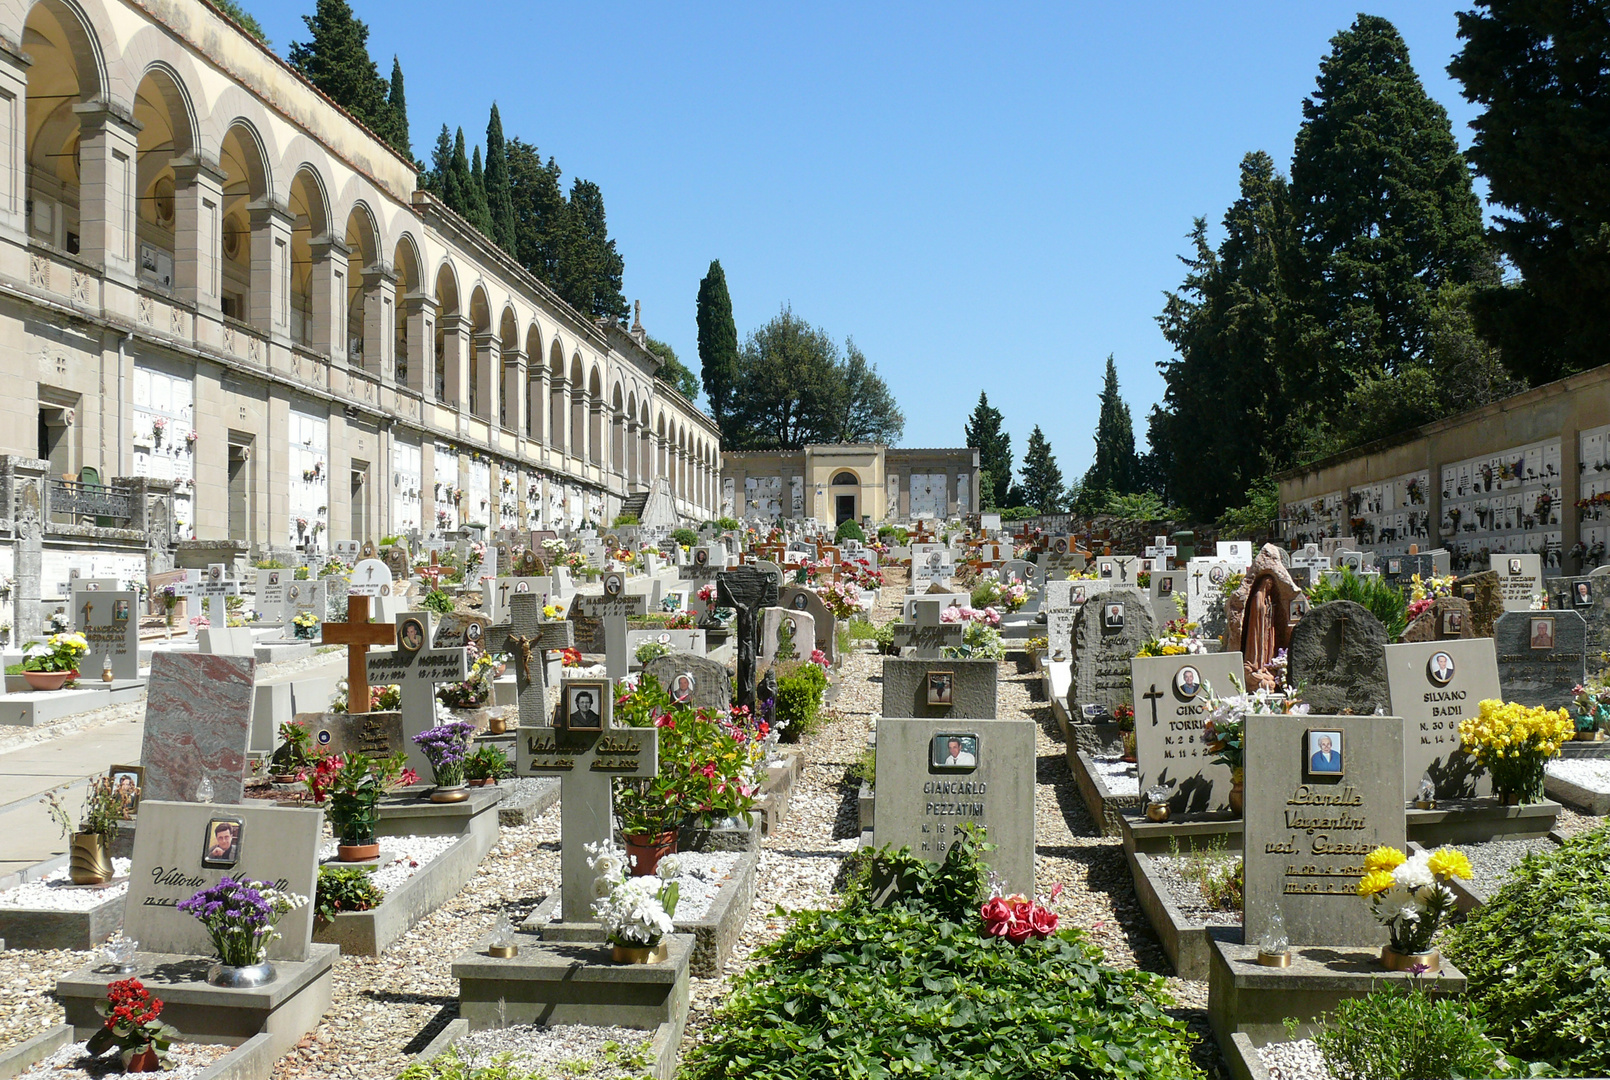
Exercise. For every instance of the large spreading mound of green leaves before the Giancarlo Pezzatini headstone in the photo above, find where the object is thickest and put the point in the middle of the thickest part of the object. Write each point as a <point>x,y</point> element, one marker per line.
<point>917,989</point>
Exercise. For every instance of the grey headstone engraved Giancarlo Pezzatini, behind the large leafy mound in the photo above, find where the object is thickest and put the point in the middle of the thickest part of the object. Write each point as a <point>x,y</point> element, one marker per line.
<point>922,799</point>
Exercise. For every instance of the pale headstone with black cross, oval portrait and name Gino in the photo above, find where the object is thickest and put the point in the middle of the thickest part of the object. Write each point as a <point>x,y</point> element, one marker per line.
<point>1170,711</point>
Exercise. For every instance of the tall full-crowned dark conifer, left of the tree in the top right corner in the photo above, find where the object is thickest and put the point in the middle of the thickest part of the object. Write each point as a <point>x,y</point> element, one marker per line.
<point>1385,207</point>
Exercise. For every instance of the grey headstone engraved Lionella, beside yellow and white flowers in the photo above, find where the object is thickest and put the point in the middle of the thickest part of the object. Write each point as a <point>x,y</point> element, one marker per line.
<point>1307,833</point>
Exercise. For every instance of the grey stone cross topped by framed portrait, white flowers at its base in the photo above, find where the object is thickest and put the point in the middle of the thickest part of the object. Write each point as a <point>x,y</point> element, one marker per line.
<point>587,765</point>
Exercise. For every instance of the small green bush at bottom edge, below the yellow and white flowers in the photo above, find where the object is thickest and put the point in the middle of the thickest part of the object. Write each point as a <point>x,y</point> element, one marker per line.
<point>1406,1036</point>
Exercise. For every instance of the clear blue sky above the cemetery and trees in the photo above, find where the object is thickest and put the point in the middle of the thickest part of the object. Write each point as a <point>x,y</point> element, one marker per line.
<point>985,197</point>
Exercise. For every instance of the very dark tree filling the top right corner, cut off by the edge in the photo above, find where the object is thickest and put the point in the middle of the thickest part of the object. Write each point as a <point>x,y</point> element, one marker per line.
<point>1538,72</point>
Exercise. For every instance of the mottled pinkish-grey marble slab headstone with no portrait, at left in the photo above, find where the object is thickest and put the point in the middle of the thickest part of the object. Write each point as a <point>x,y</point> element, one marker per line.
<point>197,723</point>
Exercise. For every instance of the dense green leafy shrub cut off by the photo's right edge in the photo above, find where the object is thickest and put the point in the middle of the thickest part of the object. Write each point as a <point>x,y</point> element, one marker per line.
<point>1535,955</point>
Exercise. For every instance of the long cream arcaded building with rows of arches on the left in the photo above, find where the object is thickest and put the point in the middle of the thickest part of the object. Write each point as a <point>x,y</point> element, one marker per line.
<point>215,281</point>
